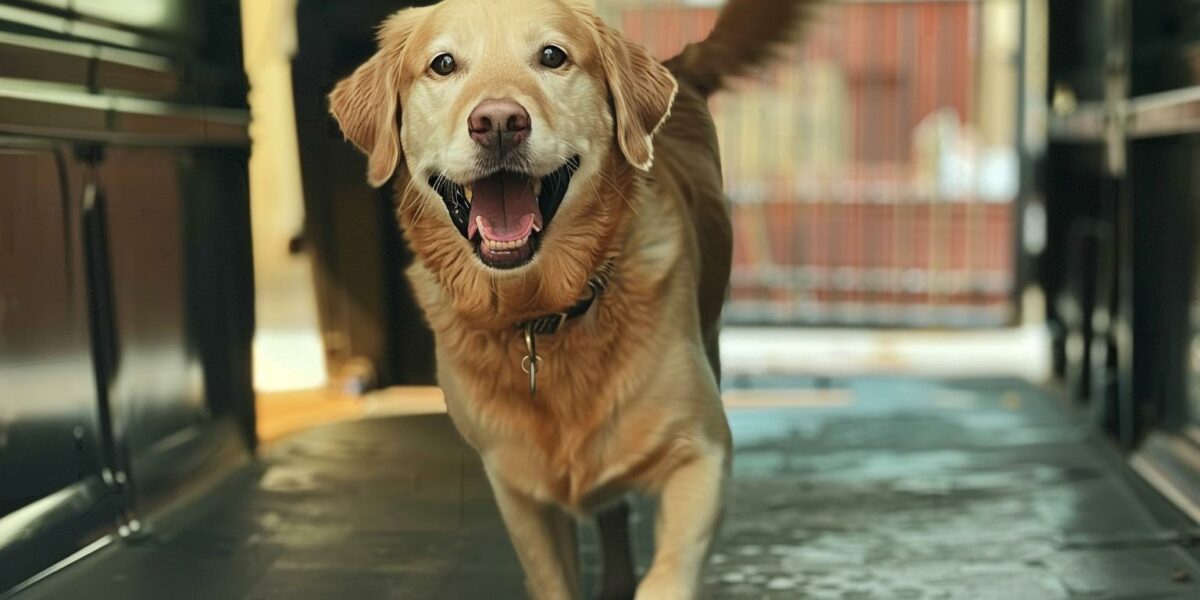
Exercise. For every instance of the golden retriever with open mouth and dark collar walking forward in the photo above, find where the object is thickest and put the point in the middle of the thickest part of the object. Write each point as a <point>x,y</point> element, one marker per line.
<point>562,193</point>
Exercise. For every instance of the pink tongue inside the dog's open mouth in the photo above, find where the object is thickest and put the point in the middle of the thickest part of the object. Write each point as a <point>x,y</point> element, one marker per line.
<point>508,208</point>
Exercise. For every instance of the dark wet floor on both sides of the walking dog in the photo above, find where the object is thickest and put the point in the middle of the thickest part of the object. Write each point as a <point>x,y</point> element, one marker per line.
<point>865,490</point>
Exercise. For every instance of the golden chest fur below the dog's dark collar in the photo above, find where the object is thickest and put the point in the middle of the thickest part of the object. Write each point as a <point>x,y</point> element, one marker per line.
<point>591,431</point>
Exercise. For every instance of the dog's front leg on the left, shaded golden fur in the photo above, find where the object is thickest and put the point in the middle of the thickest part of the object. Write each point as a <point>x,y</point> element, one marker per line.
<point>544,538</point>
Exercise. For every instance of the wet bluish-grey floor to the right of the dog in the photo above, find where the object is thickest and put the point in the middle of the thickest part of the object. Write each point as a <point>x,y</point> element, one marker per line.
<point>915,490</point>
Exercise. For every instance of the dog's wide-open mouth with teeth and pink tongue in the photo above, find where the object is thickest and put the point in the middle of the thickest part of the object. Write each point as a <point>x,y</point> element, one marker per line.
<point>506,213</point>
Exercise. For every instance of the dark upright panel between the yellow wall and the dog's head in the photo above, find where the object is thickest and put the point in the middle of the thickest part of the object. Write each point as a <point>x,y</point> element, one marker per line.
<point>367,307</point>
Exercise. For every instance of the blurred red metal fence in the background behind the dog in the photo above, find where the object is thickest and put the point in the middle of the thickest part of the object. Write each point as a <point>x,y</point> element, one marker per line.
<point>863,193</point>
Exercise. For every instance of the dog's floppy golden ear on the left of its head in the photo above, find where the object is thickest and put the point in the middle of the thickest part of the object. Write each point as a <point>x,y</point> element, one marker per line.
<point>367,105</point>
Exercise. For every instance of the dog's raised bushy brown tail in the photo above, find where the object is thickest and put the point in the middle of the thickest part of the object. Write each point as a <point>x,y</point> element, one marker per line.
<point>747,37</point>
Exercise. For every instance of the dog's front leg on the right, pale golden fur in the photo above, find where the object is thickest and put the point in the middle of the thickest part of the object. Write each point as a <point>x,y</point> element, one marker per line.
<point>689,512</point>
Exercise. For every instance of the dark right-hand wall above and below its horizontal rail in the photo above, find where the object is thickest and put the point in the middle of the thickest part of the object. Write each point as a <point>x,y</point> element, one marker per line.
<point>1120,267</point>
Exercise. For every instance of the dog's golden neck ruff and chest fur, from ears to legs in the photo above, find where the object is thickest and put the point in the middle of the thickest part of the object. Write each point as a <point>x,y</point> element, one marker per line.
<point>613,386</point>
